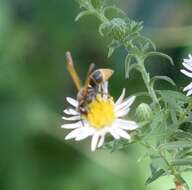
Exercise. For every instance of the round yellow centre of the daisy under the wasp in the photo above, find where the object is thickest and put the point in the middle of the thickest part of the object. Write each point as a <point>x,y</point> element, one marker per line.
<point>100,112</point>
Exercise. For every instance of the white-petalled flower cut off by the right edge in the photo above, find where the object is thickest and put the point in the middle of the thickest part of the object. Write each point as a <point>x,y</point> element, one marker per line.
<point>187,63</point>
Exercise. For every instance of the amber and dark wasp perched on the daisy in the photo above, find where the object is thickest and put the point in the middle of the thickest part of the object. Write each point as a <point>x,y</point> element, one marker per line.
<point>92,85</point>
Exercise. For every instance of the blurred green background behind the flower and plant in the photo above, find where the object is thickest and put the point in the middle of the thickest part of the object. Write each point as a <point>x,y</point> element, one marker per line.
<point>34,36</point>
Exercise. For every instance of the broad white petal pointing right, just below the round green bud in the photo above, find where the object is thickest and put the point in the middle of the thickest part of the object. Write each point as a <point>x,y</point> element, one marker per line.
<point>125,124</point>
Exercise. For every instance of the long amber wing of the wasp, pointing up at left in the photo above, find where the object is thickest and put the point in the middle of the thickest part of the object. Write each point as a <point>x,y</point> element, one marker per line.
<point>72,71</point>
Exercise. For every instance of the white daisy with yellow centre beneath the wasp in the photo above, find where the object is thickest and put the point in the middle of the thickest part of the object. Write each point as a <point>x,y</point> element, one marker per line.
<point>103,117</point>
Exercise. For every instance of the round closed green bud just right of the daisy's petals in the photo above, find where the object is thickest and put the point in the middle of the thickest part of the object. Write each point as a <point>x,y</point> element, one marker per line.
<point>143,112</point>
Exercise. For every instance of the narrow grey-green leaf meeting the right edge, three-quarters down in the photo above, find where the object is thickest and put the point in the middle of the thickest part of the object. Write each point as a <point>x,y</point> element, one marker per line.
<point>175,145</point>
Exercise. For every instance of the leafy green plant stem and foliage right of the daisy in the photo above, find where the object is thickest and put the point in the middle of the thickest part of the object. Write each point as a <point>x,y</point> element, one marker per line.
<point>167,133</point>
